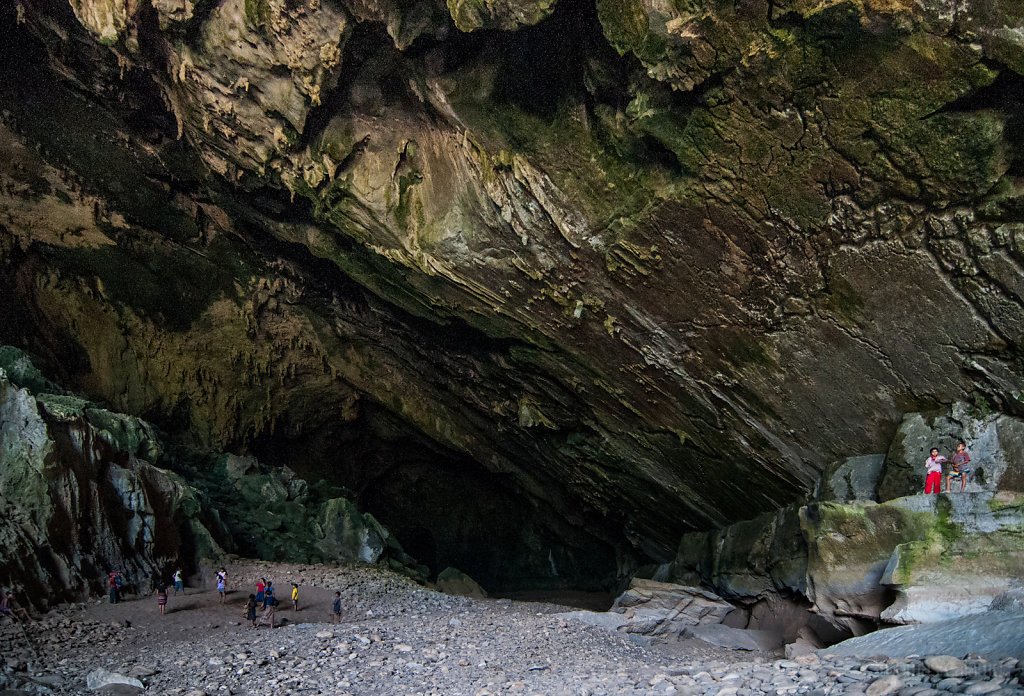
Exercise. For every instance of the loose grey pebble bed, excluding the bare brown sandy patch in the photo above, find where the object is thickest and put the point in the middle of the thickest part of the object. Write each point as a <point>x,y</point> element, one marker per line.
<point>414,645</point>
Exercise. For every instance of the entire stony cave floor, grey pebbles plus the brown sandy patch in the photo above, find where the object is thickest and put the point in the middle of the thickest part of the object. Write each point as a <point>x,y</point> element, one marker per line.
<point>399,638</point>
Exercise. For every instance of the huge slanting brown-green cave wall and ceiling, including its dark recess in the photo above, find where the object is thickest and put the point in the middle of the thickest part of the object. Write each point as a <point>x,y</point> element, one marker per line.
<point>586,276</point>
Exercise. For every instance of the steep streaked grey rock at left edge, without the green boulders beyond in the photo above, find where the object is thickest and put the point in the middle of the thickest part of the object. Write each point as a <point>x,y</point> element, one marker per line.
<point>79,498</point>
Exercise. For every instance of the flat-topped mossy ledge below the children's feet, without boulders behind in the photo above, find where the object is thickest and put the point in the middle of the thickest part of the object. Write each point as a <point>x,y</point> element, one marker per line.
<point>827,570</point>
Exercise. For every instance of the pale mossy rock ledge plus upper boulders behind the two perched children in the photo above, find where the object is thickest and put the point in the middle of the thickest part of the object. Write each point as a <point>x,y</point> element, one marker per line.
<point>830,570</point>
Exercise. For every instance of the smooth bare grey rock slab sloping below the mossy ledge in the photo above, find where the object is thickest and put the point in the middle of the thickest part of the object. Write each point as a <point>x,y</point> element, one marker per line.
<point>991,633</point>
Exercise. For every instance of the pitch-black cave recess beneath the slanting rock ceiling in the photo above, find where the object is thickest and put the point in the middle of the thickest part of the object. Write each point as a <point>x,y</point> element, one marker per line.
<point>447,510</point>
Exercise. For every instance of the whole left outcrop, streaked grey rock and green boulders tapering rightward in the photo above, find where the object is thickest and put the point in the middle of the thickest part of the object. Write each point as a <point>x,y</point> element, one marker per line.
<point>82,494</point>
